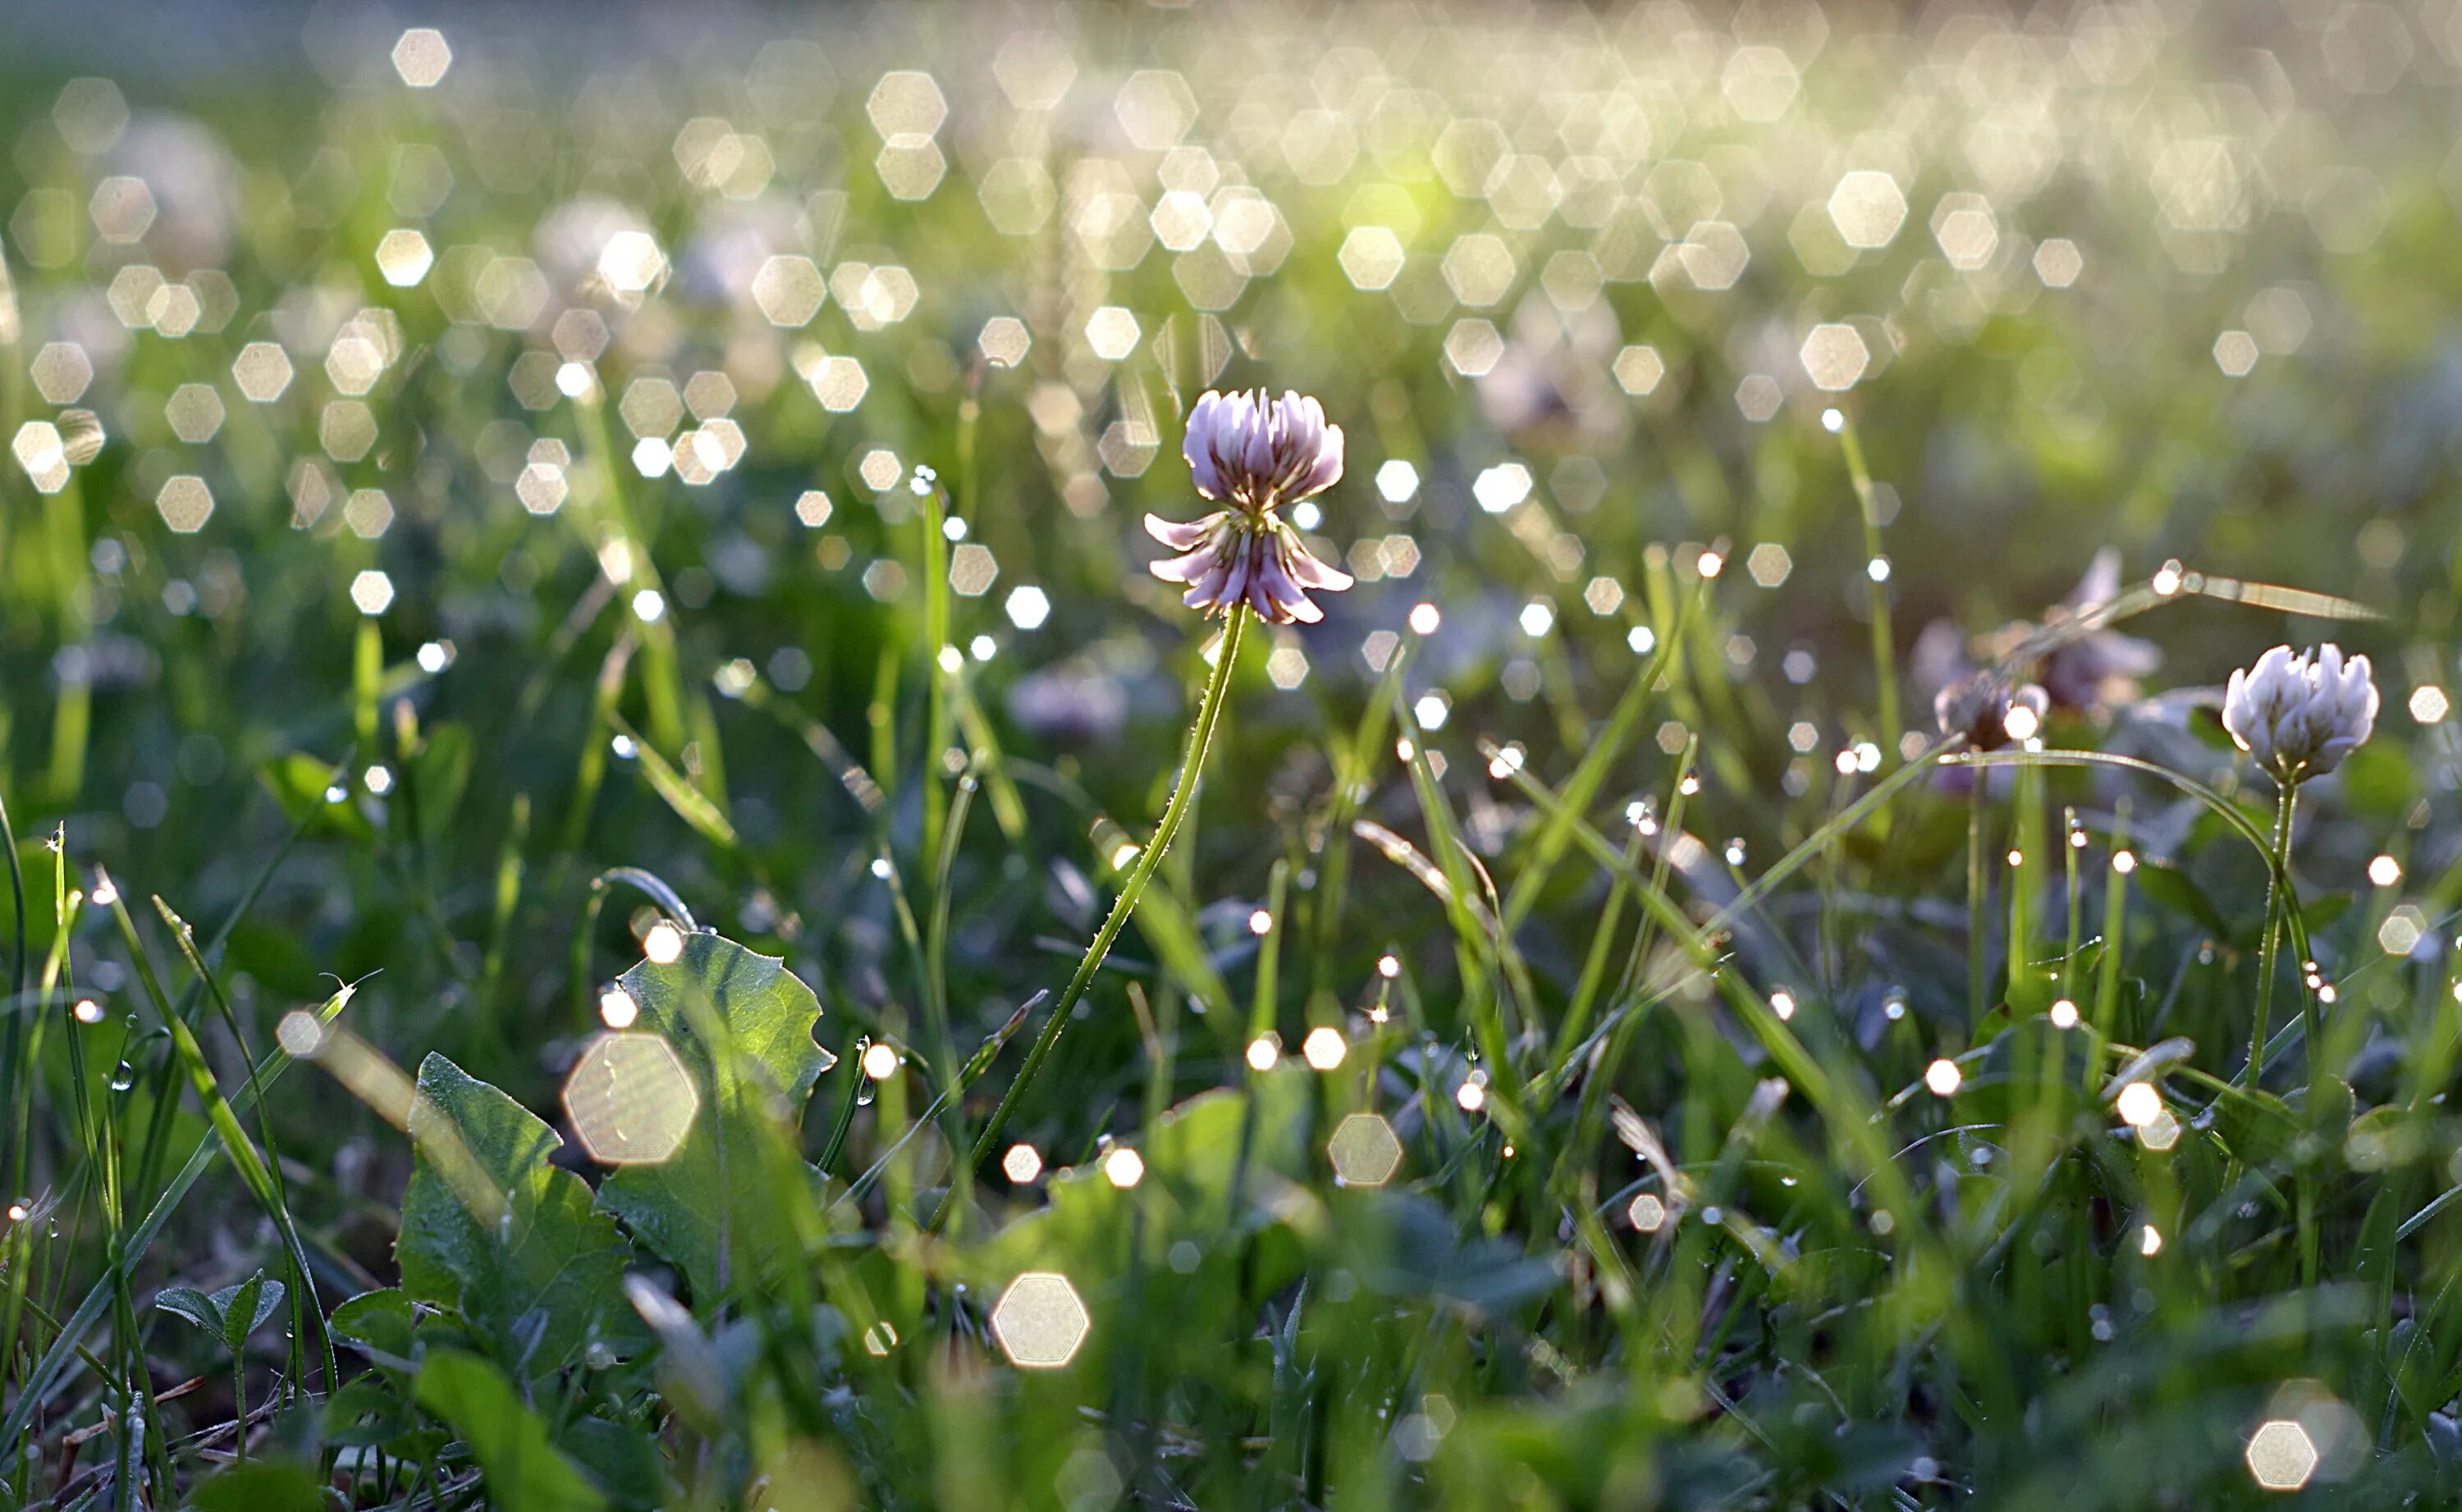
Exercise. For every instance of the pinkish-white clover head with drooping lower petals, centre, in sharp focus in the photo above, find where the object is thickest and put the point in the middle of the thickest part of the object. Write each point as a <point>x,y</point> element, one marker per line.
<point>1259,454</point>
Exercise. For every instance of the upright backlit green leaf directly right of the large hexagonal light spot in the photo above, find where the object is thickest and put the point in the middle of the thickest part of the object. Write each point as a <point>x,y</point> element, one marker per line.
<point>742,1028</point>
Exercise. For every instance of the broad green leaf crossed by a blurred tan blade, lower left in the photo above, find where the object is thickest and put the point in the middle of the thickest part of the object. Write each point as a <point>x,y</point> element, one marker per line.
<point>499,1233</point>
